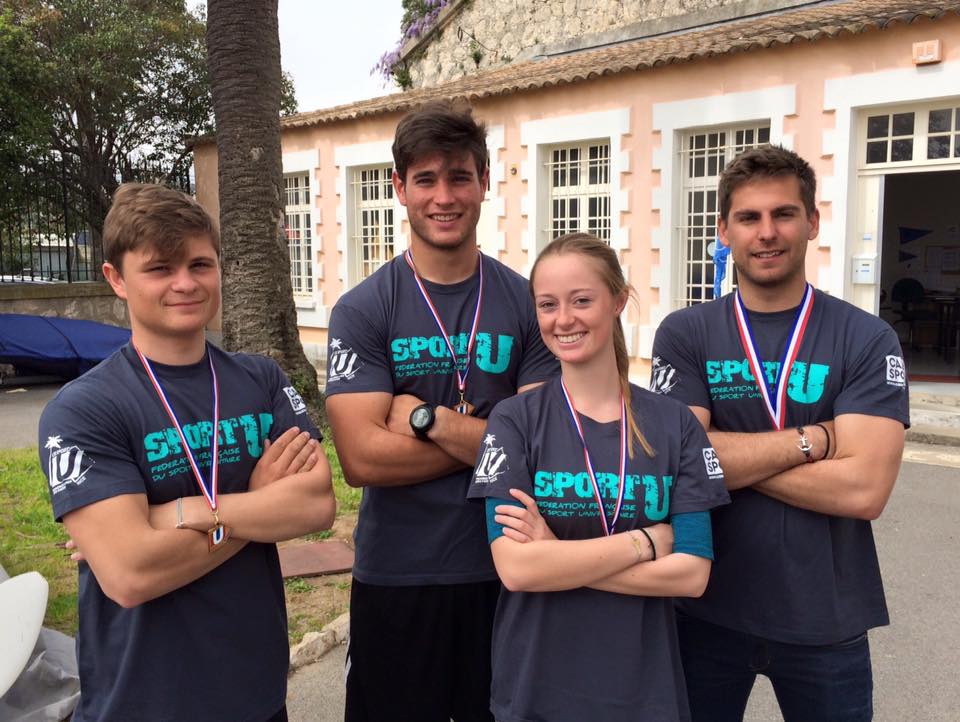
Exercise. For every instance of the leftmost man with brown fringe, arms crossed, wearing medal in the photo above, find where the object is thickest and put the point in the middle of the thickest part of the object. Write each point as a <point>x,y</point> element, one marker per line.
<point>175,466</point>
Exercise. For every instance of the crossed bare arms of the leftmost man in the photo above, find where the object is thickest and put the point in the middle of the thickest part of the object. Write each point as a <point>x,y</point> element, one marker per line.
<point>137,554</point>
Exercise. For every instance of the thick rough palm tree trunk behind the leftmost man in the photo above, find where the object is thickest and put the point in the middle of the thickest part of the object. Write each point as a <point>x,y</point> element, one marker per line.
<point>243,48</point>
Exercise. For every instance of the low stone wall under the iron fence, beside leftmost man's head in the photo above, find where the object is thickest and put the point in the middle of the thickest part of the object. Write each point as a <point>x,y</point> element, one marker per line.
<point>88,301</point>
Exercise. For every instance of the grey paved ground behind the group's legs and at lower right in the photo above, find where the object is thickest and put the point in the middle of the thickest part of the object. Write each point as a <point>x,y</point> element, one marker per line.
<point>914,659</point>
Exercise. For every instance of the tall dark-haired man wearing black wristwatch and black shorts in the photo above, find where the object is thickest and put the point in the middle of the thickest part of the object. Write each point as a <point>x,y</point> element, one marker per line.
<point>420,353</point>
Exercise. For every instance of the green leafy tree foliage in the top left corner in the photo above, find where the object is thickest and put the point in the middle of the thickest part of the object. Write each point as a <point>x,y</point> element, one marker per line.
<point>114,86</point>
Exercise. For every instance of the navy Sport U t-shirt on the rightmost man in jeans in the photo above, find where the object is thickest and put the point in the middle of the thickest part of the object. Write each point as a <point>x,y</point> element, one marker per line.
<point>781,572</point>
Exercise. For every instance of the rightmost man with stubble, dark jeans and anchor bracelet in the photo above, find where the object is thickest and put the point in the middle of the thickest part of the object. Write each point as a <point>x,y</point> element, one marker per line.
<point>804,397</point>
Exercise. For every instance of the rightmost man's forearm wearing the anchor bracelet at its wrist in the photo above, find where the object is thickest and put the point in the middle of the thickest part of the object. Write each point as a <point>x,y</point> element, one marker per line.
<point>750,457</point>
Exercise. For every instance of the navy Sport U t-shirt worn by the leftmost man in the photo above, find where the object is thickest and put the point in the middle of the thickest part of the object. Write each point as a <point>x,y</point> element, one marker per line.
<point>217,647</point>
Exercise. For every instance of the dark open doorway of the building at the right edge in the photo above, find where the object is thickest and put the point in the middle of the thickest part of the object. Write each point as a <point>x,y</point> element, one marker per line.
<point>920,270</point>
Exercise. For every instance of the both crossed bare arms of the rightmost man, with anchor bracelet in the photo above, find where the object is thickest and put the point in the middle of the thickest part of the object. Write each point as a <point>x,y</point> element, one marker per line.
<point>854,481</point>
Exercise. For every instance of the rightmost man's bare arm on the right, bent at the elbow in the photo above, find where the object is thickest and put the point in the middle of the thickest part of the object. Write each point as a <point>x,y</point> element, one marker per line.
<point>857,481</point>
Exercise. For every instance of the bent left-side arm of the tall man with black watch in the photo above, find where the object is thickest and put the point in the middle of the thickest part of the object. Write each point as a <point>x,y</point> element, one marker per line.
<point>373,453</point>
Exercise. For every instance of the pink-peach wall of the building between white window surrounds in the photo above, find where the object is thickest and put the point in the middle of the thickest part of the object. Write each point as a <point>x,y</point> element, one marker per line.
<point>804,65</point>
